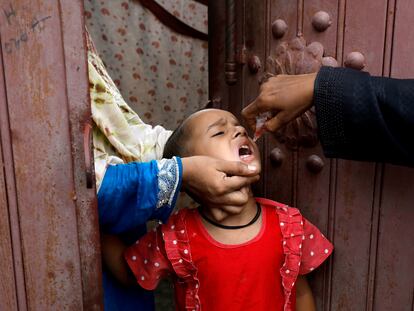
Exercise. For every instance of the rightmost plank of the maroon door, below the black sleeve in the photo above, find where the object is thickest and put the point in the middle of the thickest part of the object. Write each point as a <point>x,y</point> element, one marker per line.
<point>394,272</point>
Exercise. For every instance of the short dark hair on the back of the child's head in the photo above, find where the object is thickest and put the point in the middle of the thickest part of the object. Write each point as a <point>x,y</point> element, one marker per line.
<point>176,144</point>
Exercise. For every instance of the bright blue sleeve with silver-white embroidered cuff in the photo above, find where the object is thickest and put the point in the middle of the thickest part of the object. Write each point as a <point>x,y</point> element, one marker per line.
<point>133,193</point>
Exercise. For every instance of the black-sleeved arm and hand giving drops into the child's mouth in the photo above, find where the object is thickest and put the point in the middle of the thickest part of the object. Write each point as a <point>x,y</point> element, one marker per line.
<point>359,116</point>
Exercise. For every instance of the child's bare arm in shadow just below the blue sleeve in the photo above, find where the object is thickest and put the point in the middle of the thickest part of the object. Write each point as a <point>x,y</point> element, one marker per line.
<point>112,254</point>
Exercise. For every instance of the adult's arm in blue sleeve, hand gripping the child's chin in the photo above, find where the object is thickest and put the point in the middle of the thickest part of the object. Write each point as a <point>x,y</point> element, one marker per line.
<point>133,193</point>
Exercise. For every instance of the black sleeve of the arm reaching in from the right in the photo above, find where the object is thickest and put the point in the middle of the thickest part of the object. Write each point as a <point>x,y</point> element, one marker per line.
<point>361,117</point>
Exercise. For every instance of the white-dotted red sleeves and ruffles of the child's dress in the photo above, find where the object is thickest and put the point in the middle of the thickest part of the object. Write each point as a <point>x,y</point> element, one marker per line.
<point>302,255</point>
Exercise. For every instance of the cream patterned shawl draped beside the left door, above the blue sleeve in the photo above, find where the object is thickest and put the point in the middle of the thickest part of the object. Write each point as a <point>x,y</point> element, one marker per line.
<point>119,135</point>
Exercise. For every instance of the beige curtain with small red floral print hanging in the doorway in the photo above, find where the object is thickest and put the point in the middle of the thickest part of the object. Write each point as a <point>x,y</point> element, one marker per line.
<point>161,74</point>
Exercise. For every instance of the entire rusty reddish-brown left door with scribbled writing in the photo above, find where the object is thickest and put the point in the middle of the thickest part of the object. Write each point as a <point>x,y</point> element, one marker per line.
<point>49,246</point>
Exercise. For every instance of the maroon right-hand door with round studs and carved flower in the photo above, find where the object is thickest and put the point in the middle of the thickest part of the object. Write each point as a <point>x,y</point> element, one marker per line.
<point>365,209</point>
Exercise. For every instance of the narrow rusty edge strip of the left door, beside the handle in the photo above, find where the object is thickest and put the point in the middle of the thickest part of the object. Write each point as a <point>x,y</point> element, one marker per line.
<point>80,114</point>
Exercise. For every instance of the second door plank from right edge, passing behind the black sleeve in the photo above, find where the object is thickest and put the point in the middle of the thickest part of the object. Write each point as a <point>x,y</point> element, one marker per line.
<point>364,32</point>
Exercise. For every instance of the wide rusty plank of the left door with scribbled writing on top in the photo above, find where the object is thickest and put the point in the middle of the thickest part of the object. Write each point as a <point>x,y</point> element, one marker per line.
<point>36,88</point>
